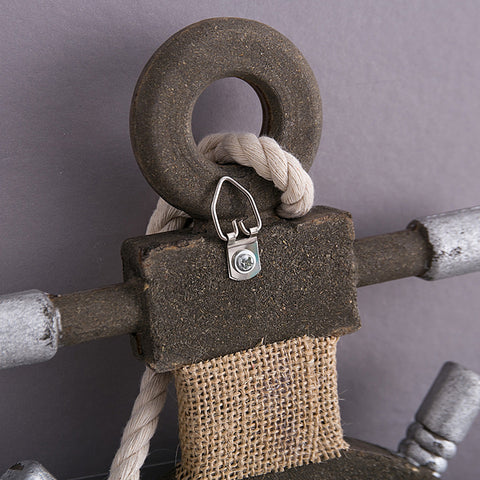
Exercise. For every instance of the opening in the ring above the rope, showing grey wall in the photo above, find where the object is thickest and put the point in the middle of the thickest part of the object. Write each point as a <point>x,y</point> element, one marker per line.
<point>227,105</point>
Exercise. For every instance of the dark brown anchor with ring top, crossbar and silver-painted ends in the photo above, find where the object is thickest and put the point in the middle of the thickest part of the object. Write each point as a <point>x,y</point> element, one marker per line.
<point>311,266</point>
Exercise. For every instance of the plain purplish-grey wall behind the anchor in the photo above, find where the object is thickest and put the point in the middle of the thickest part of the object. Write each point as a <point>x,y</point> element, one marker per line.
<point>400,88</point>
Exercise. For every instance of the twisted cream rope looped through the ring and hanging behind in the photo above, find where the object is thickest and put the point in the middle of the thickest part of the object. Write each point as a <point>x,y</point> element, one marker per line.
<point>270,162</point>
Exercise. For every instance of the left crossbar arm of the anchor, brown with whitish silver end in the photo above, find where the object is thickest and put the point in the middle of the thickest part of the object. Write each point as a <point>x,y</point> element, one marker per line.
<point>34,324</point>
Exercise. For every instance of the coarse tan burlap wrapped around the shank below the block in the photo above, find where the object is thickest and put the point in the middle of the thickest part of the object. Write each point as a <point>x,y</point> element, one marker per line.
<point>262,410</point>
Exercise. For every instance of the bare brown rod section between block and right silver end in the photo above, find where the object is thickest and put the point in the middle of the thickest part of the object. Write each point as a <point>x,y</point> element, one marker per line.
<point>391,256</point>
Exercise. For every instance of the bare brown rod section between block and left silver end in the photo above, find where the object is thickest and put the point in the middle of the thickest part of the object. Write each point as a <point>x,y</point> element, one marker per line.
<point>100,313</point>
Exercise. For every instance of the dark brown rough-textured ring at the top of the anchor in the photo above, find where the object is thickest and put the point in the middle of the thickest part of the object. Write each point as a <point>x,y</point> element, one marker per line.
<point>174,78</point>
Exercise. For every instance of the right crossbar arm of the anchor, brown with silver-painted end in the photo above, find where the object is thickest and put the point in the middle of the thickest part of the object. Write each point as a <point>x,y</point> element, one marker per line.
<point>433,247</point>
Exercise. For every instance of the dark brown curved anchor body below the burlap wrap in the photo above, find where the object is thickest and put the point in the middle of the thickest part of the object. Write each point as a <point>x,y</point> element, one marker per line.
<point>362,461</point>
